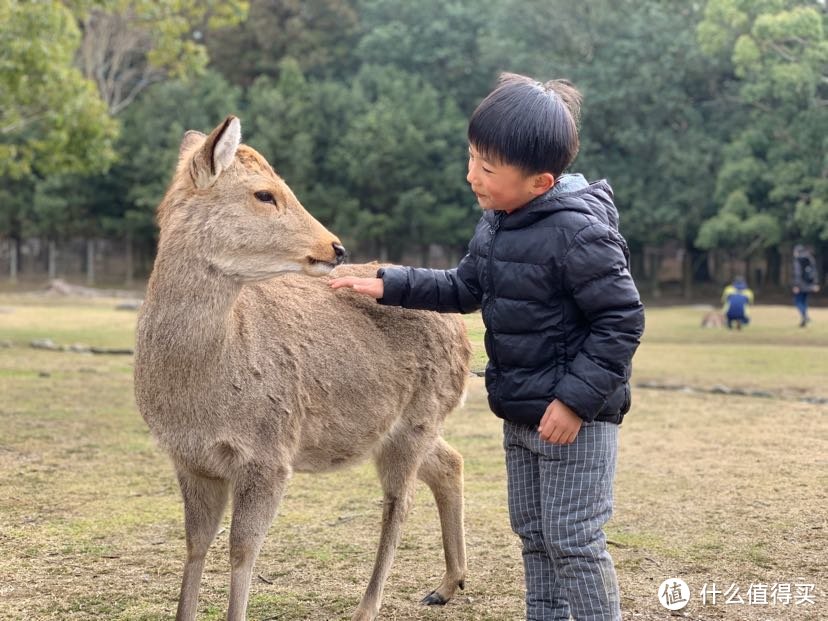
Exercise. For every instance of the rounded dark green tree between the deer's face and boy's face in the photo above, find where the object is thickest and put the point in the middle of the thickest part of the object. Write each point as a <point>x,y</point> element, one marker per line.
<point>404,156</point>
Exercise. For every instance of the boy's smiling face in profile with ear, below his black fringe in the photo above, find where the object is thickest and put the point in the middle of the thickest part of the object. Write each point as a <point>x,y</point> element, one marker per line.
<point>502,186</point>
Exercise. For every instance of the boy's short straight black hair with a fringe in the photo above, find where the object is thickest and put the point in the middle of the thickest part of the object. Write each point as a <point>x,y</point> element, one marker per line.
<point>527,124</point>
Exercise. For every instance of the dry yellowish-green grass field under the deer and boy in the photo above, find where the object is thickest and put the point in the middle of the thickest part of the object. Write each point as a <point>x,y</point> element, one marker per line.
<point>711,488</point>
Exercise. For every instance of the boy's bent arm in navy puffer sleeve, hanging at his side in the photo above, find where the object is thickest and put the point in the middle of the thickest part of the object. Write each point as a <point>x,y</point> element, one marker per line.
<point>596,274</point>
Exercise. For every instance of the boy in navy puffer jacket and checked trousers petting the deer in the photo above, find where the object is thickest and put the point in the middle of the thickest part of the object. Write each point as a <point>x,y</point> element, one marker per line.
<point>563,319</point>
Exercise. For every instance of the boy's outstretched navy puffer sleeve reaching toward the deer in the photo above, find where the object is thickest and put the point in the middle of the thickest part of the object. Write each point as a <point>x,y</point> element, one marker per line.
<point>447,291</point>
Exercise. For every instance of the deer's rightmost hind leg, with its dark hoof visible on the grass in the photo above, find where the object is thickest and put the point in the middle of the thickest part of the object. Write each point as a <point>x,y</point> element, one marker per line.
<point>442,471</point>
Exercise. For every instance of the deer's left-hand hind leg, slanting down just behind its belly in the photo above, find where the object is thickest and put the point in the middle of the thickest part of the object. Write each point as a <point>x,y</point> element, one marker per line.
<point>397,461</point>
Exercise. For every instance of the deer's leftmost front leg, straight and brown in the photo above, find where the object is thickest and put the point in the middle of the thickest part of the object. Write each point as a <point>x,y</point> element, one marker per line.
<point>204,503</point>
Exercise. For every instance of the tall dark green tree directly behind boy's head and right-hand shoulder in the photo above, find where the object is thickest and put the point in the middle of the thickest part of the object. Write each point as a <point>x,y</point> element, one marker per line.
<point>652,118</point>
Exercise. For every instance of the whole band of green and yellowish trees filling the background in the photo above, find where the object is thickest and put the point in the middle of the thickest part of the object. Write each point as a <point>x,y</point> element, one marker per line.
<point>709,119</point>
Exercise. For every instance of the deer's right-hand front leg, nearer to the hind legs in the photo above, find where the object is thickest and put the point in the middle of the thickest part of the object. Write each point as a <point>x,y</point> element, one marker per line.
<point>256,496</point>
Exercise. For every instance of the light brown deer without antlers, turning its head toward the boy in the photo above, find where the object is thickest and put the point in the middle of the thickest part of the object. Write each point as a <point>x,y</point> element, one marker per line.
<point>250,367</point>
